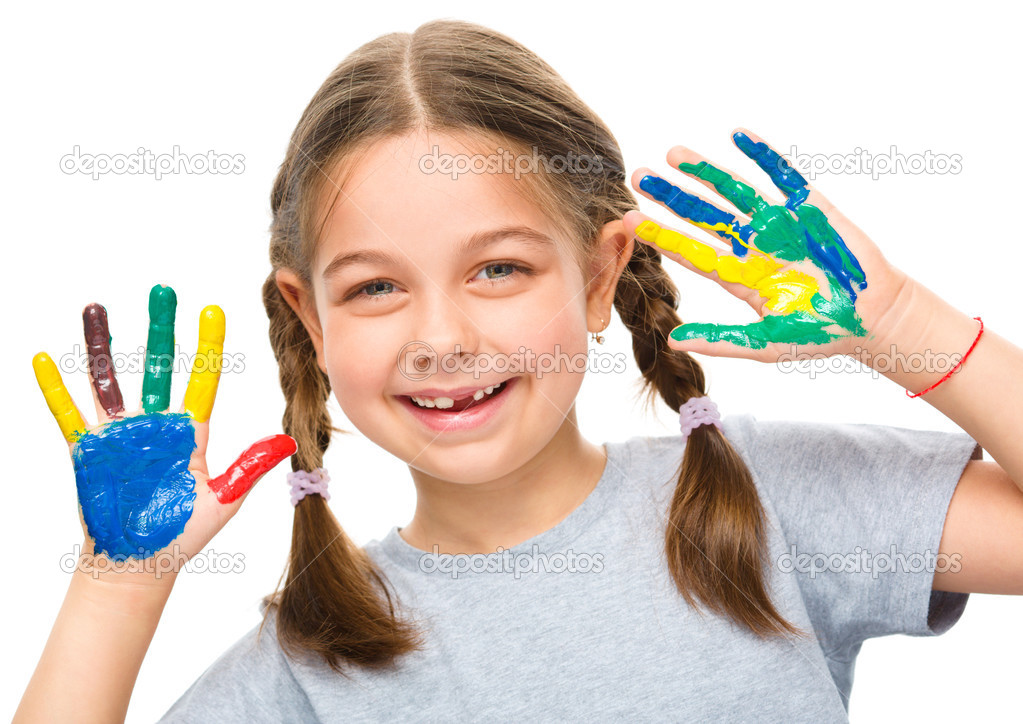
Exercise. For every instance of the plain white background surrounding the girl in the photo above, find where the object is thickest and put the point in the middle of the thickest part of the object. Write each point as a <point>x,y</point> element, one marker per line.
<point>236,79</point>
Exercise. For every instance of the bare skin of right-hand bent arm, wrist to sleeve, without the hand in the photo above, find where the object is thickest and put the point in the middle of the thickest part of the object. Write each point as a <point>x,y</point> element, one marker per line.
<point>985,524</point>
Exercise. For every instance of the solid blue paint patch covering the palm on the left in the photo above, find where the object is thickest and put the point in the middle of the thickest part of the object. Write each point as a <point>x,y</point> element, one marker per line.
<point>134,483</point>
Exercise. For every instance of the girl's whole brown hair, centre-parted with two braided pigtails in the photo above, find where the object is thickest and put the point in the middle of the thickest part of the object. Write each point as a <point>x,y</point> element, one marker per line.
<point>461,77</point>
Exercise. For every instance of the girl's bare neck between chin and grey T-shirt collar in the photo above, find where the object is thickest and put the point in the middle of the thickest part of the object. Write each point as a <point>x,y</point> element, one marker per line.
<point>535,499</point>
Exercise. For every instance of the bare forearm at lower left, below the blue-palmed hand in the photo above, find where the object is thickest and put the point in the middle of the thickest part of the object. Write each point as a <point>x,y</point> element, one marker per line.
<point>93,658</point>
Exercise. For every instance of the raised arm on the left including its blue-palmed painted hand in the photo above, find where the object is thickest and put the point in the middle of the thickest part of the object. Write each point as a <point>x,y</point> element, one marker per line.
<point>147,505</point>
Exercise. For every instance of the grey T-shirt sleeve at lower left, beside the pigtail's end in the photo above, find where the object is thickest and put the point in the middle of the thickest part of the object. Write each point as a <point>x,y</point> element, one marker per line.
<point>250,684</point>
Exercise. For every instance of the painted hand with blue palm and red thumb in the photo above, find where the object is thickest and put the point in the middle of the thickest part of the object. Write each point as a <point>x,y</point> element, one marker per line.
<point>143,479</point>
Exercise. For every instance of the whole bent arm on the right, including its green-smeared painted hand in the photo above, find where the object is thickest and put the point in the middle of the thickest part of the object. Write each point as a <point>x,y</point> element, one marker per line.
<point>817,280</point>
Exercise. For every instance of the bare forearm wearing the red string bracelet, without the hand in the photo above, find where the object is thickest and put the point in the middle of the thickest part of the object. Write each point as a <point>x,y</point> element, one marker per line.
<point>985,397</point>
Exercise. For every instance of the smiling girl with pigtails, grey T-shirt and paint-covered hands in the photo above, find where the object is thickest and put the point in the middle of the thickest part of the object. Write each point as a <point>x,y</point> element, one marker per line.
<point>443,295</point>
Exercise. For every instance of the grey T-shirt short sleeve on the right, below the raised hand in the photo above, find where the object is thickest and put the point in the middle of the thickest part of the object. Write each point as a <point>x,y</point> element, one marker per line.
<point>862,510</point>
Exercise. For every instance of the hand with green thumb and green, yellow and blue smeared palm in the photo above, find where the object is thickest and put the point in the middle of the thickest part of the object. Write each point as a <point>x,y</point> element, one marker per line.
<point>813,277</point>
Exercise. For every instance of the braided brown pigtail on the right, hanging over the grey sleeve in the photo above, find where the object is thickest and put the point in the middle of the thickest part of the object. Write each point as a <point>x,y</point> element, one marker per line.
<point>716,539</point>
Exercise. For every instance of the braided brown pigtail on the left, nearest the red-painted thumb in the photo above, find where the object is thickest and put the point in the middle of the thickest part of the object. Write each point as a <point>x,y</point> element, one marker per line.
<point>335,602</point>
